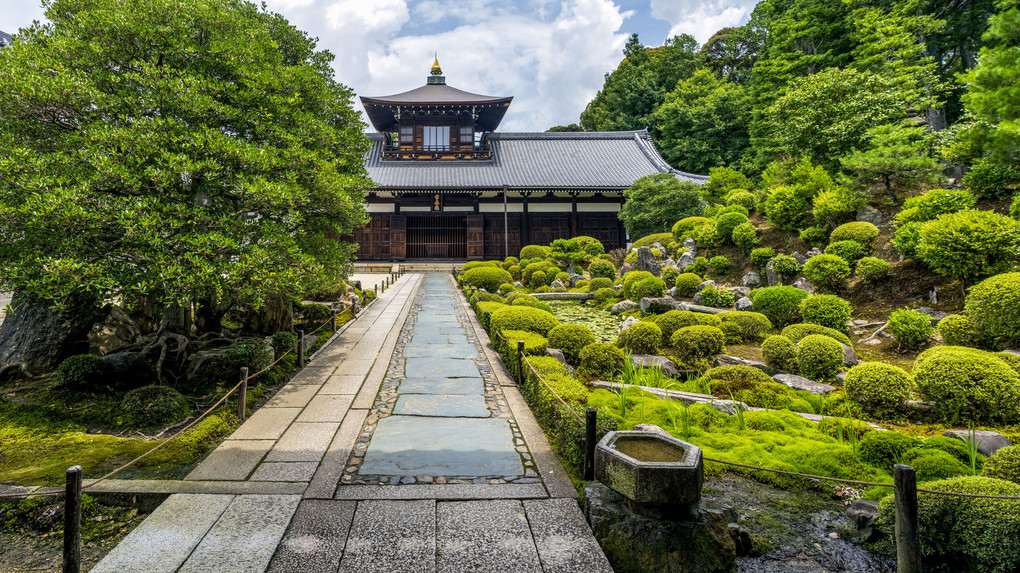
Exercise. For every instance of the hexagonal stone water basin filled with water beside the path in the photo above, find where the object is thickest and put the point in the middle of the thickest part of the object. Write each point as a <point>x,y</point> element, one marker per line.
<point>650,470</point>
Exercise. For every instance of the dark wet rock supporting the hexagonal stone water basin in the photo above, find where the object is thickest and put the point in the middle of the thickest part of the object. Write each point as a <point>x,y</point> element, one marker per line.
<point>632,542</point>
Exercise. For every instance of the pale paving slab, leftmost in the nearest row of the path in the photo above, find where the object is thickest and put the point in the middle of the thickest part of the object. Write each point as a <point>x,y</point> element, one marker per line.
<point>168,537</point>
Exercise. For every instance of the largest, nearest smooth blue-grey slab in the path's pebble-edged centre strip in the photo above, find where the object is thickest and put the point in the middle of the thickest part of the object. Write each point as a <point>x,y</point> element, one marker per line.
<point>418,446</point>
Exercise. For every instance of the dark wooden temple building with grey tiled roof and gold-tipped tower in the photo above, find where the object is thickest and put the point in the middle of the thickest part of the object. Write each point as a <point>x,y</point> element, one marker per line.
<point>450,187</point>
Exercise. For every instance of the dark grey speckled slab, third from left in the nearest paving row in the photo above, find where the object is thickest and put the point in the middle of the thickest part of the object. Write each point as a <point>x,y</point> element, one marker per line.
<point>315,542</point>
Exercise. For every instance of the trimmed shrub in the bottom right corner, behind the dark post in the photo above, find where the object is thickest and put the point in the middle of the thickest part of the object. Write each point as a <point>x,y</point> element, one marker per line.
<point>966,534</point>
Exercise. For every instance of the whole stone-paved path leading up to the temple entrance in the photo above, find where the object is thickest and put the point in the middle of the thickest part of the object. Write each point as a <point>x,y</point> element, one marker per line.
<point>402,447</point>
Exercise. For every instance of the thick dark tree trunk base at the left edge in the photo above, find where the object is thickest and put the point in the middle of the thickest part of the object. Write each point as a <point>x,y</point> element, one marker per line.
<point>41,336</point>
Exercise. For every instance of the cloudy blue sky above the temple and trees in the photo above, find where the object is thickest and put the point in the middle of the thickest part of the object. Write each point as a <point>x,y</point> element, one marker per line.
<point>551,56</point>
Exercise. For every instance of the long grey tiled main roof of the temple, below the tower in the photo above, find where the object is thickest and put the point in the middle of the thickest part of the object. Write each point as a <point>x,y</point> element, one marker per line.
<point>560,161</point>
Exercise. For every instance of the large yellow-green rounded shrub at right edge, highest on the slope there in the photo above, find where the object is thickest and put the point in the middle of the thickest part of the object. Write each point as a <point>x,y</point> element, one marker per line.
<point>970,245</point>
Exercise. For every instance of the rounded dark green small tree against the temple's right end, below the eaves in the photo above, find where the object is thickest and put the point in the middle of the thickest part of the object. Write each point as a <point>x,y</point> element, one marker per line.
<point>655,202</point>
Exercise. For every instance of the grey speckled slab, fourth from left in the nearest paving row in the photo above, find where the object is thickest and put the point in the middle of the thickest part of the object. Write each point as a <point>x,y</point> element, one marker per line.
<point>392,537</point>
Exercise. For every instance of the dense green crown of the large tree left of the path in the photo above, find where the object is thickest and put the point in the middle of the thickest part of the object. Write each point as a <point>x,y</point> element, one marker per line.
<point>218,157</point>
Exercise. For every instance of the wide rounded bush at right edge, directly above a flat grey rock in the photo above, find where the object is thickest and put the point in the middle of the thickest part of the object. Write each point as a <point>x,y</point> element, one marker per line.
<point>968,385</point>
